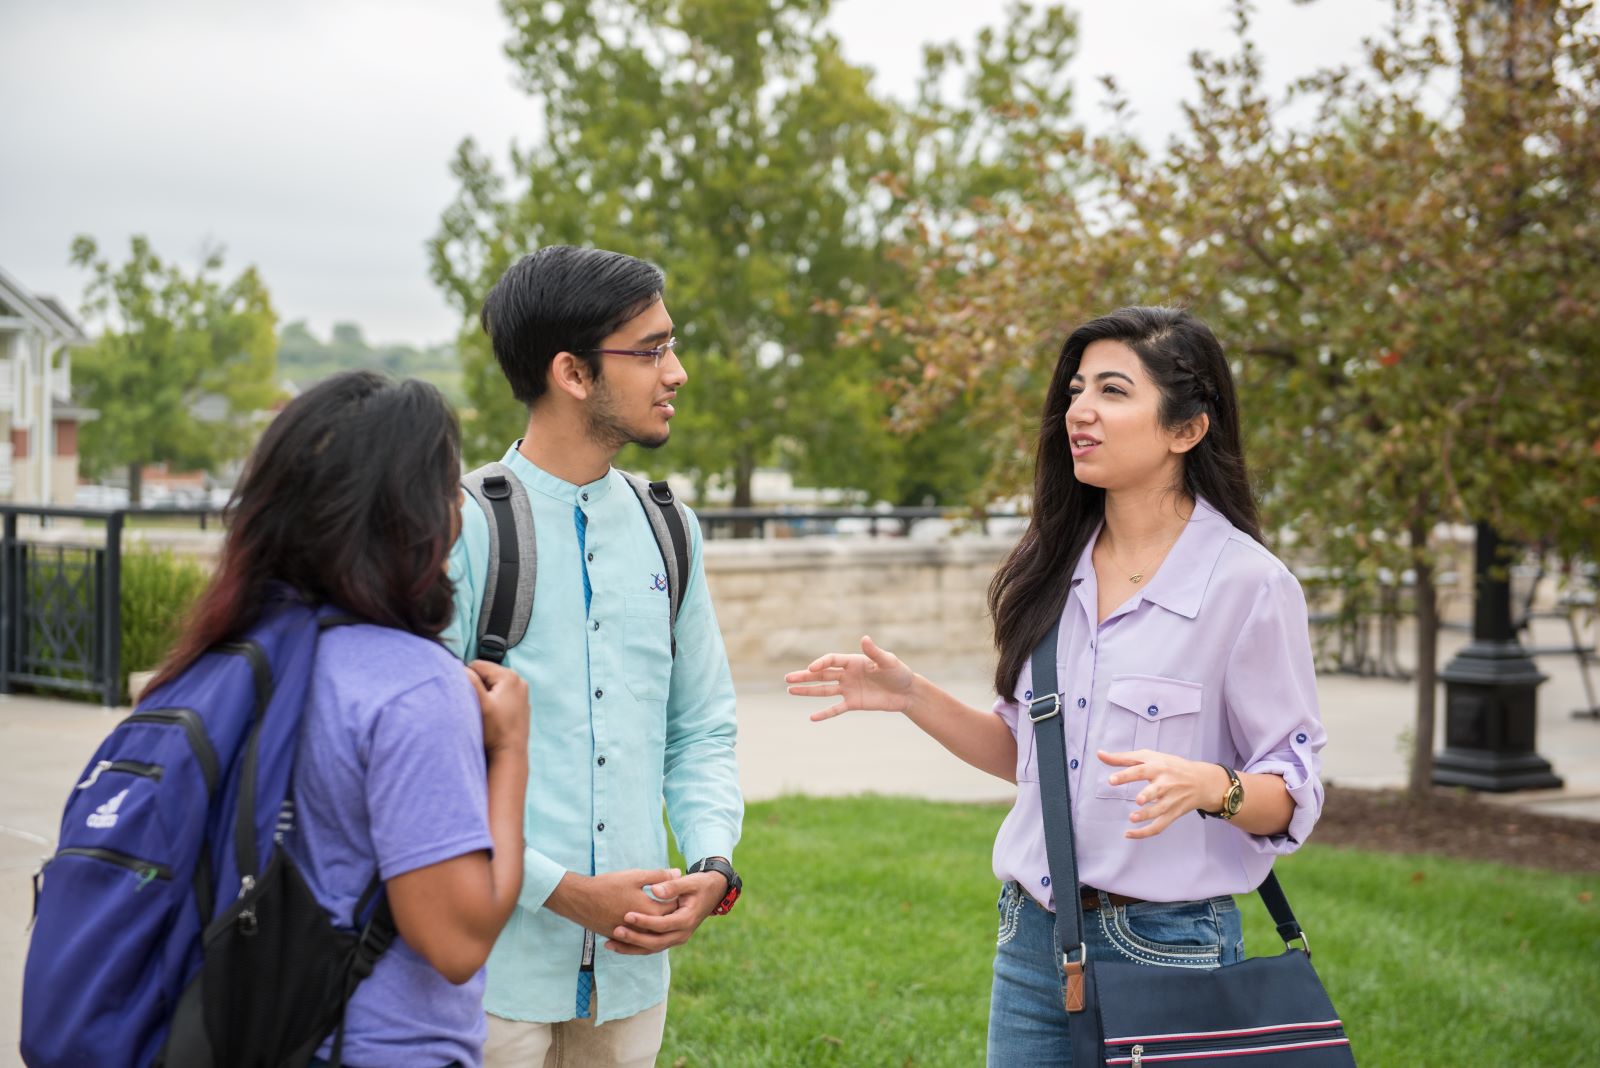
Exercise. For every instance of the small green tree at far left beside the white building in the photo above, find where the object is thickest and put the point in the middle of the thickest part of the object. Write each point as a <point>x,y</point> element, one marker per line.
<point>180,367</point>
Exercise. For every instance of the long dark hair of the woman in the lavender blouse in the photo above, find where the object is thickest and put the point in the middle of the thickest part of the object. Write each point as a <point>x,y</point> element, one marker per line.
<point>1185,361</point>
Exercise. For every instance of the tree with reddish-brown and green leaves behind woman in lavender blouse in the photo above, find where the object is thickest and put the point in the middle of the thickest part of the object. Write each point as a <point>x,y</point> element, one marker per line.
<point>1407,282</point>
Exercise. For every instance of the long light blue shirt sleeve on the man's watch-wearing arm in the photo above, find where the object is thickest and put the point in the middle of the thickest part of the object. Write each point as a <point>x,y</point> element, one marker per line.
<point>702,776</point>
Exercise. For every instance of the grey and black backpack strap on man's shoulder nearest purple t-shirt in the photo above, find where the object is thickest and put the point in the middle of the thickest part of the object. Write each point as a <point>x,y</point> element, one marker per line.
<point>508,586</point>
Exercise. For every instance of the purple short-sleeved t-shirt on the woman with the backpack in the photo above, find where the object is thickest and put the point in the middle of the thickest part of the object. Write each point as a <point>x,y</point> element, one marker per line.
<point>391,778</point>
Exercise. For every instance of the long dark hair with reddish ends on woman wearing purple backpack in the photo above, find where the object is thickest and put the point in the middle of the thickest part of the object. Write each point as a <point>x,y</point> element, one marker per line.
<point>348,500</point>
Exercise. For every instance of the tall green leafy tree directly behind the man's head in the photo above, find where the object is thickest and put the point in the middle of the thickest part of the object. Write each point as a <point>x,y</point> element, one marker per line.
<point>730,143</point>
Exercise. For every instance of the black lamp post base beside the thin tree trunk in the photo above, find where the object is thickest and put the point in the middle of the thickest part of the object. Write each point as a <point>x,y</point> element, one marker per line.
<point>1490,703</point>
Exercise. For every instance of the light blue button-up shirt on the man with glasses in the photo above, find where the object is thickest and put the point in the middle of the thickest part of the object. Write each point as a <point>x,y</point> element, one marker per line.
<point>618,727</point>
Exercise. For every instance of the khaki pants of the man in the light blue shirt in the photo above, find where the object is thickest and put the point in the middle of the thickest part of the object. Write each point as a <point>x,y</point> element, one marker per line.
<point>630,1043</point>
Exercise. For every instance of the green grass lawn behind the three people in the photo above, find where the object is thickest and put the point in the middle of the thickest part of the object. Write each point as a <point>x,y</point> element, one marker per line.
<point>866,938</point>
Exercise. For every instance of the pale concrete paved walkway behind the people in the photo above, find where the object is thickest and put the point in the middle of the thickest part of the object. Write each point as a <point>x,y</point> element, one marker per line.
<point>47,743</point>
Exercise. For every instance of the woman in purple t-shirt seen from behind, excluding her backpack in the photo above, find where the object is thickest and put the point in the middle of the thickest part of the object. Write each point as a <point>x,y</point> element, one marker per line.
<point>409,765</point>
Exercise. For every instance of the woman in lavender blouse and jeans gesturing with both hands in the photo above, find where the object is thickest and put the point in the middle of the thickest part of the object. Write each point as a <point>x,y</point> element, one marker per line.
<point>1185,675</point>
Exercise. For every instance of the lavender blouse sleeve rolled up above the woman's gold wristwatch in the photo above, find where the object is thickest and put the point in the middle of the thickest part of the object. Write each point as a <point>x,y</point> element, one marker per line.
<point>1271,693</point>
